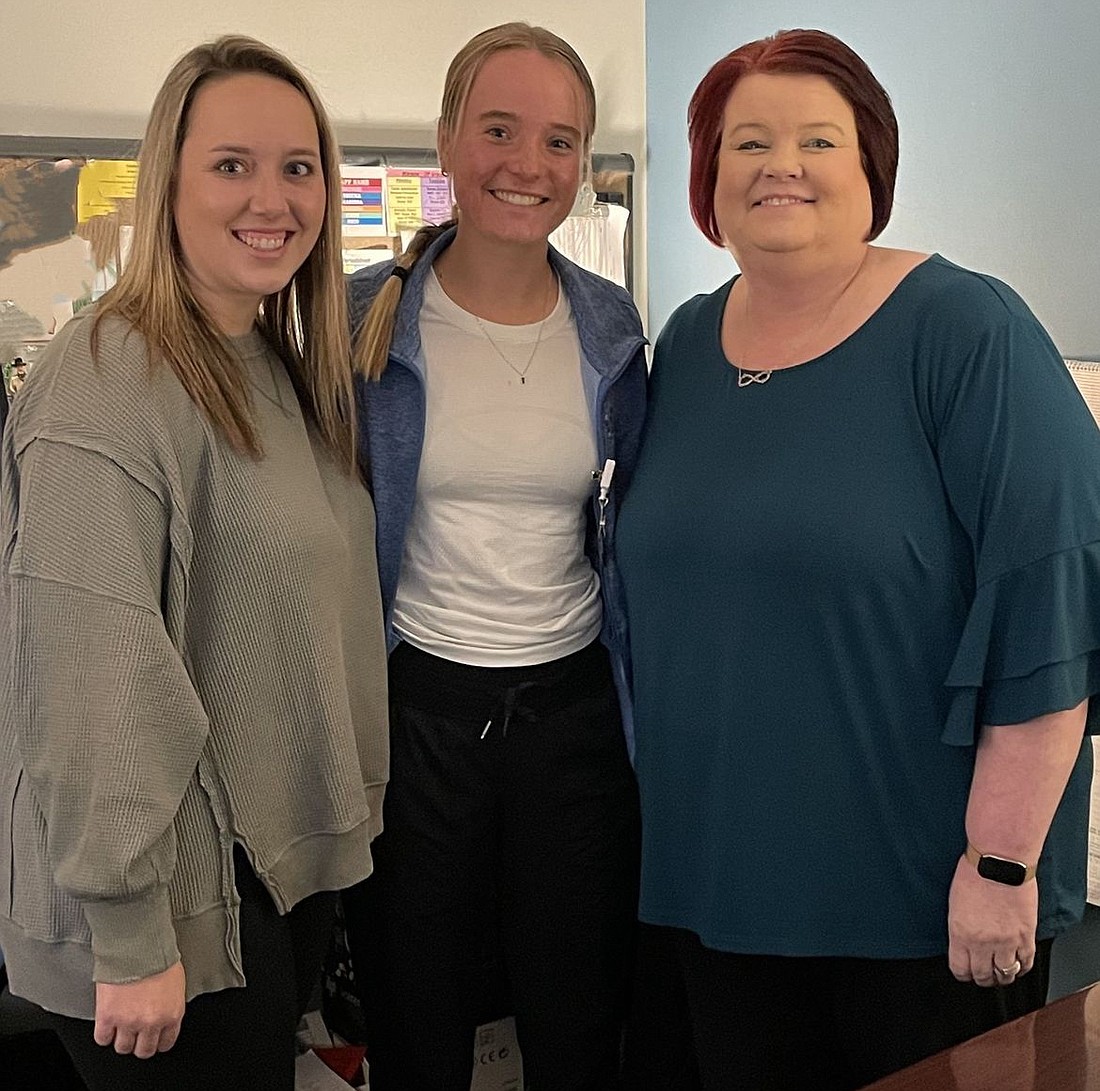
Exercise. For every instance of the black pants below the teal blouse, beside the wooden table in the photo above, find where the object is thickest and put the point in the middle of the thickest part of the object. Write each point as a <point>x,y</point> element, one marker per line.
<point>712,1021</point>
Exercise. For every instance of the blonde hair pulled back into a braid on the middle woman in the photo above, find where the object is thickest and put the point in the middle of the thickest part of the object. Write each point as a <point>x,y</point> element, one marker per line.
<point>377,334</point>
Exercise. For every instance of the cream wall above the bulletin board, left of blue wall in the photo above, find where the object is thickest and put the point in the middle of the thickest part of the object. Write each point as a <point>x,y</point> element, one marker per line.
<point>92,69</point>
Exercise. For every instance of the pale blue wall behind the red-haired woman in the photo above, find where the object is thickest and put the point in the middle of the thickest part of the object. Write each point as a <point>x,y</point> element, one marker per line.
<point>999,109</point>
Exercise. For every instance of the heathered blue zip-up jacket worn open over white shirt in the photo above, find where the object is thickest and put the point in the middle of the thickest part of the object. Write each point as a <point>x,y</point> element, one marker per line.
<point>392,424</point>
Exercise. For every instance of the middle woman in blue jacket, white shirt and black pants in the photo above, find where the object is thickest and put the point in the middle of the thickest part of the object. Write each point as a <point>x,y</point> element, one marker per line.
<point>501,405</point>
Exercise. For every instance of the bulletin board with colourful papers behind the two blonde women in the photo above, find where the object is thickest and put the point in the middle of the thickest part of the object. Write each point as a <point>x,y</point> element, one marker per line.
<point>67,216</point>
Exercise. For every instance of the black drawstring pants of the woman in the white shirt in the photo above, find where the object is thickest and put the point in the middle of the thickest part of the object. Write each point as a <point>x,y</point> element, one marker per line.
<point>511,835</point>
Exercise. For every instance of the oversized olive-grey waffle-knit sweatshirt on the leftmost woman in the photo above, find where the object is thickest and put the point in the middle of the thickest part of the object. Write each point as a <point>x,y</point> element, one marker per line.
<point>192,657</point>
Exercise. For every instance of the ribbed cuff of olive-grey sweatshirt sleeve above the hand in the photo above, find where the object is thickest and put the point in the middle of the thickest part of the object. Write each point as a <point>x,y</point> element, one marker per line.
<point>133,940</point>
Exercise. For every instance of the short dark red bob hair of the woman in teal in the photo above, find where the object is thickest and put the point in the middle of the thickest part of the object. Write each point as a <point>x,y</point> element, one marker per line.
<point>805,53</point>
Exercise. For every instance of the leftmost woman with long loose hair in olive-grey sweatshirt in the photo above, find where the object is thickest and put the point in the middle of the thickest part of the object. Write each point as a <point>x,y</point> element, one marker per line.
<point>193,744</point>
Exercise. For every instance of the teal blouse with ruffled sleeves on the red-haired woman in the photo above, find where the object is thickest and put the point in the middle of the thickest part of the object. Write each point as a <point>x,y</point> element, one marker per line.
<point>833,580</point>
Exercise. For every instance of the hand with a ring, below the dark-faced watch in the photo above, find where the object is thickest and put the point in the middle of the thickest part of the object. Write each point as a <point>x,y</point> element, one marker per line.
<point>989,928</point>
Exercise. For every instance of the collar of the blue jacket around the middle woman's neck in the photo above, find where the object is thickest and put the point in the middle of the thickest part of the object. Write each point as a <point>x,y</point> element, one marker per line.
<point>608,322</point>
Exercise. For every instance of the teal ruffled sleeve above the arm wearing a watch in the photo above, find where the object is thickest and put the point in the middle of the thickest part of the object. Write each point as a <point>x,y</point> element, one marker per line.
<point>1020,458</point>
